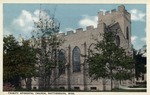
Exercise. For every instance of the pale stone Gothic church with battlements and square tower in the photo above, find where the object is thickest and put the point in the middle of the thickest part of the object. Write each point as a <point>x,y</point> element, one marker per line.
<point>75,75</point>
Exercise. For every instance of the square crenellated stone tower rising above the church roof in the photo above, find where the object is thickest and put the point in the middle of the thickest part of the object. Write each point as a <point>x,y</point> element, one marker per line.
<point>123,17</point>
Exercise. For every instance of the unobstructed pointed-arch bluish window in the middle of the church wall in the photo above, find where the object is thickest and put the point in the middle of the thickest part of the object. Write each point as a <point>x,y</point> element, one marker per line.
<point>76,59</point>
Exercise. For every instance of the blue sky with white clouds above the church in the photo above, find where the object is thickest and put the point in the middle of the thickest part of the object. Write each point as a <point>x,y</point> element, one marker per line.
<point>18,18</point>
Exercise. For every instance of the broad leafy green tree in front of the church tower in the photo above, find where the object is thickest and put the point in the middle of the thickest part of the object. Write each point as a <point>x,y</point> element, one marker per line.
<point>108,60</point>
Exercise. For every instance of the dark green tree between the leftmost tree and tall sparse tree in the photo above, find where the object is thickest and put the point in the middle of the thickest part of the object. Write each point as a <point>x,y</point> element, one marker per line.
<point>28,62</point>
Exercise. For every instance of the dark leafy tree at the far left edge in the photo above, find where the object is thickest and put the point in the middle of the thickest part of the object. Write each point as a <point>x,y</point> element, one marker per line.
<point>10,49</point>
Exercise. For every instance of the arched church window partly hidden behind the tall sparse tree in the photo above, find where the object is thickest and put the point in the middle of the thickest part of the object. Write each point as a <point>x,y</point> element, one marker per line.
<point>61,61</point>
